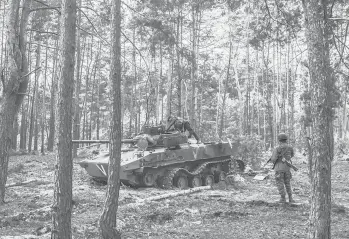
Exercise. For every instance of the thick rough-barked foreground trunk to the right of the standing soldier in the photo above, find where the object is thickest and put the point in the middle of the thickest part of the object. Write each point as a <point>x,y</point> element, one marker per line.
<point>323,94</point>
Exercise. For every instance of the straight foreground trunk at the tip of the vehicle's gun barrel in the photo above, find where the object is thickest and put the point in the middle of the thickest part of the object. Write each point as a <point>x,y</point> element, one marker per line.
<point>62,205</point>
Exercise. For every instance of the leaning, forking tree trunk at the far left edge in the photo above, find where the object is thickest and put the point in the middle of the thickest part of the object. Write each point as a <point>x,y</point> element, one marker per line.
<point>15,84</point>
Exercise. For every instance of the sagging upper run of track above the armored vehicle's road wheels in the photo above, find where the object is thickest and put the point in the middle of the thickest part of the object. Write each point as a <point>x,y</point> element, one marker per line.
<point>167,179</point>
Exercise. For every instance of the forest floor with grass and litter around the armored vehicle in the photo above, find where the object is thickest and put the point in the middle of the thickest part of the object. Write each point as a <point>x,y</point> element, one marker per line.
<point>247,209</point>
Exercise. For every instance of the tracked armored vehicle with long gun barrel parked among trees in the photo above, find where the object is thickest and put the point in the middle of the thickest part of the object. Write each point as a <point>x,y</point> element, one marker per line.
<point>155,158</point>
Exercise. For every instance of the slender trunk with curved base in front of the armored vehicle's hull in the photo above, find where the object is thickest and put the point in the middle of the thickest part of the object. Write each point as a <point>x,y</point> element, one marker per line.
<point>108,217</point>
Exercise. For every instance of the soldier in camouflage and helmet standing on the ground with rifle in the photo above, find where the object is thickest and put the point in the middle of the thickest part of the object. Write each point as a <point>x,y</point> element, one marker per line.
<point>282,153</point>
